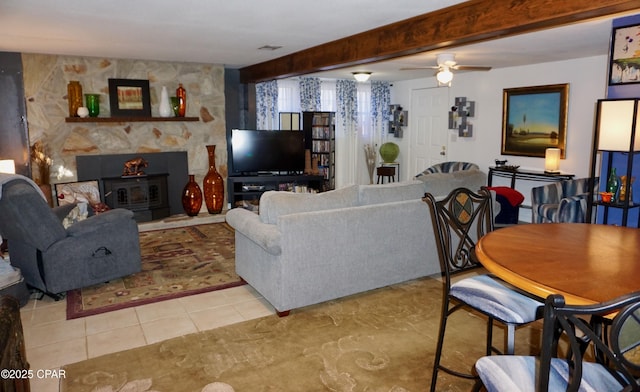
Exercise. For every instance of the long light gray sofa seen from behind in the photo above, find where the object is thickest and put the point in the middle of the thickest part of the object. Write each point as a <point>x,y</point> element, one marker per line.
<point>303,249</point>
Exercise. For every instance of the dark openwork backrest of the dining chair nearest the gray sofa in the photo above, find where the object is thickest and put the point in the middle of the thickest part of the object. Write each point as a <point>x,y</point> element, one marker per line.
<point>459,220</point>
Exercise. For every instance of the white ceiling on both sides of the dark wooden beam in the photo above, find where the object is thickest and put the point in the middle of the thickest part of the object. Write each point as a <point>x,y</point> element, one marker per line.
<point>230,32</point>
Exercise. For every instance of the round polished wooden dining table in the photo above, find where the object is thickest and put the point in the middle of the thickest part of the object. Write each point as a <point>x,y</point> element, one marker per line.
<point>586,263</point>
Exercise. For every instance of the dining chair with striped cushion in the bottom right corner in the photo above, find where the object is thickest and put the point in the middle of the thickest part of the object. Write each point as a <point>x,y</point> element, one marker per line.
<point>600,354</point>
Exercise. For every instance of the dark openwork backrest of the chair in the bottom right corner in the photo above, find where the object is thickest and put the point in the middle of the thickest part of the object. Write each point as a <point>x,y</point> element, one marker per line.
<point>614,343</point>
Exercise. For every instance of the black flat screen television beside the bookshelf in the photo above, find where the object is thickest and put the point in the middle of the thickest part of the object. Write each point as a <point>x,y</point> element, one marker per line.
<point>266,151</point>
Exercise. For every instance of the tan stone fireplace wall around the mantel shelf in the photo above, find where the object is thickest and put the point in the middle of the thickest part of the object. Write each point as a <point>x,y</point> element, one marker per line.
<point>45,82</point>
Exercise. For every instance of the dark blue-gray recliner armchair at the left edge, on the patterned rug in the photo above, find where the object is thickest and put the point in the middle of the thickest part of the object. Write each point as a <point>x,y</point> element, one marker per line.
<point>54,259</point>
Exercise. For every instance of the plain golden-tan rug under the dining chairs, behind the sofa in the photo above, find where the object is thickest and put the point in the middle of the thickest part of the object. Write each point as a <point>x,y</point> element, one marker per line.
<point>382,340</point>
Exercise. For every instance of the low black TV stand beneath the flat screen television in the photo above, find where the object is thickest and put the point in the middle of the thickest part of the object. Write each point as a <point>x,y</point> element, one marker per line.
<point>250,188</point>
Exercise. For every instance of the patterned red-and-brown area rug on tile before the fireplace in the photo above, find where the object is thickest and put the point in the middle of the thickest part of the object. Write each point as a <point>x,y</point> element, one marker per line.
<point>176,262</point>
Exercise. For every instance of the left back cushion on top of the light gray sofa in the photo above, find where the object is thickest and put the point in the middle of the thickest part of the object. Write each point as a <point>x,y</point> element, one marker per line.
<point>276,203</point>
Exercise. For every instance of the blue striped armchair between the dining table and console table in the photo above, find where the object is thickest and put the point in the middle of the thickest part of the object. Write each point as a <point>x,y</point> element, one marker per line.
<point>563,201</point>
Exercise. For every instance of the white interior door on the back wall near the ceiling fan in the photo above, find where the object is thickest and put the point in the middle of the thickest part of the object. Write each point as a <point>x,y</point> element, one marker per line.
<point>429,123</point>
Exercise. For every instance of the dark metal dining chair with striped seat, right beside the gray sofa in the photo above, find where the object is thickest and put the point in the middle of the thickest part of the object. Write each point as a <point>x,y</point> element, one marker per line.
<point>459,220</point>
